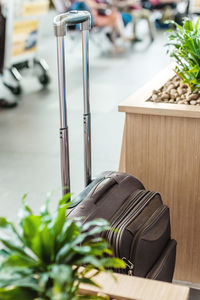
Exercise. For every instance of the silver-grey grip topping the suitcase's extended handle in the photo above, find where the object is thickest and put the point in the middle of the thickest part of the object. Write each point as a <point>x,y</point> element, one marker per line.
<point>70,18</point>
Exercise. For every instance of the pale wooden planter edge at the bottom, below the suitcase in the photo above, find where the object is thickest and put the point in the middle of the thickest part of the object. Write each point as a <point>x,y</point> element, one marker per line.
<point>135,288</point>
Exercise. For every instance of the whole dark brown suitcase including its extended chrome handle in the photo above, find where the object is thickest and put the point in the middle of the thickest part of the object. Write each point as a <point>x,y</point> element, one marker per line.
<point>141,219</point>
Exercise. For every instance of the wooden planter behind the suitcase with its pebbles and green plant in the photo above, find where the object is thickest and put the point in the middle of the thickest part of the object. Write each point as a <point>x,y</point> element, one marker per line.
<point>161,143</point>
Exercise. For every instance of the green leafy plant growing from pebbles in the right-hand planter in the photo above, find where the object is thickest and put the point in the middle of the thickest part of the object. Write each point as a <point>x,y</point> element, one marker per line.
<point>184,47</point>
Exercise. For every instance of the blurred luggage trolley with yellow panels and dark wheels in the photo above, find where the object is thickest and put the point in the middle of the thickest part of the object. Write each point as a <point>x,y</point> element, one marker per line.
<point>20,41</point>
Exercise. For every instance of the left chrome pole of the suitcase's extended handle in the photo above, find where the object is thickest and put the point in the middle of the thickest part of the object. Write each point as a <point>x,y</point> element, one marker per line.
<point>64,138</point>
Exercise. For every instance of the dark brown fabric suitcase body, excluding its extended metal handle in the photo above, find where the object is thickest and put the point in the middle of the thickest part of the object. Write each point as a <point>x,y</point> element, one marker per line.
<point>141,220</point>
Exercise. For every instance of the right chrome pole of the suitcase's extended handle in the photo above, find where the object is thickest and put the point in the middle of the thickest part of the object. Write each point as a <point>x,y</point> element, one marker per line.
<point>86,113</point>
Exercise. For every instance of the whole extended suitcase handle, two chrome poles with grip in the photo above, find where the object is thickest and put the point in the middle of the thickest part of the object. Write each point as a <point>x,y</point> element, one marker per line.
<point>60,28</point>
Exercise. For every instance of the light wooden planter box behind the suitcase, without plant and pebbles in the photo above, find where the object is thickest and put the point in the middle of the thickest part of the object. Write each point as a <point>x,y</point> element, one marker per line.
<point>161,146</point>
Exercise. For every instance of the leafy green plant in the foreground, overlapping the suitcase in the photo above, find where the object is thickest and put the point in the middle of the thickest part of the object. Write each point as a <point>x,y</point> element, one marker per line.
<point>43,259</point>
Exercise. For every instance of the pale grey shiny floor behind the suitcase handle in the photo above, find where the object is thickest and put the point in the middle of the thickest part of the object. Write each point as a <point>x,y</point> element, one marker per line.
<point>29,139</point>
